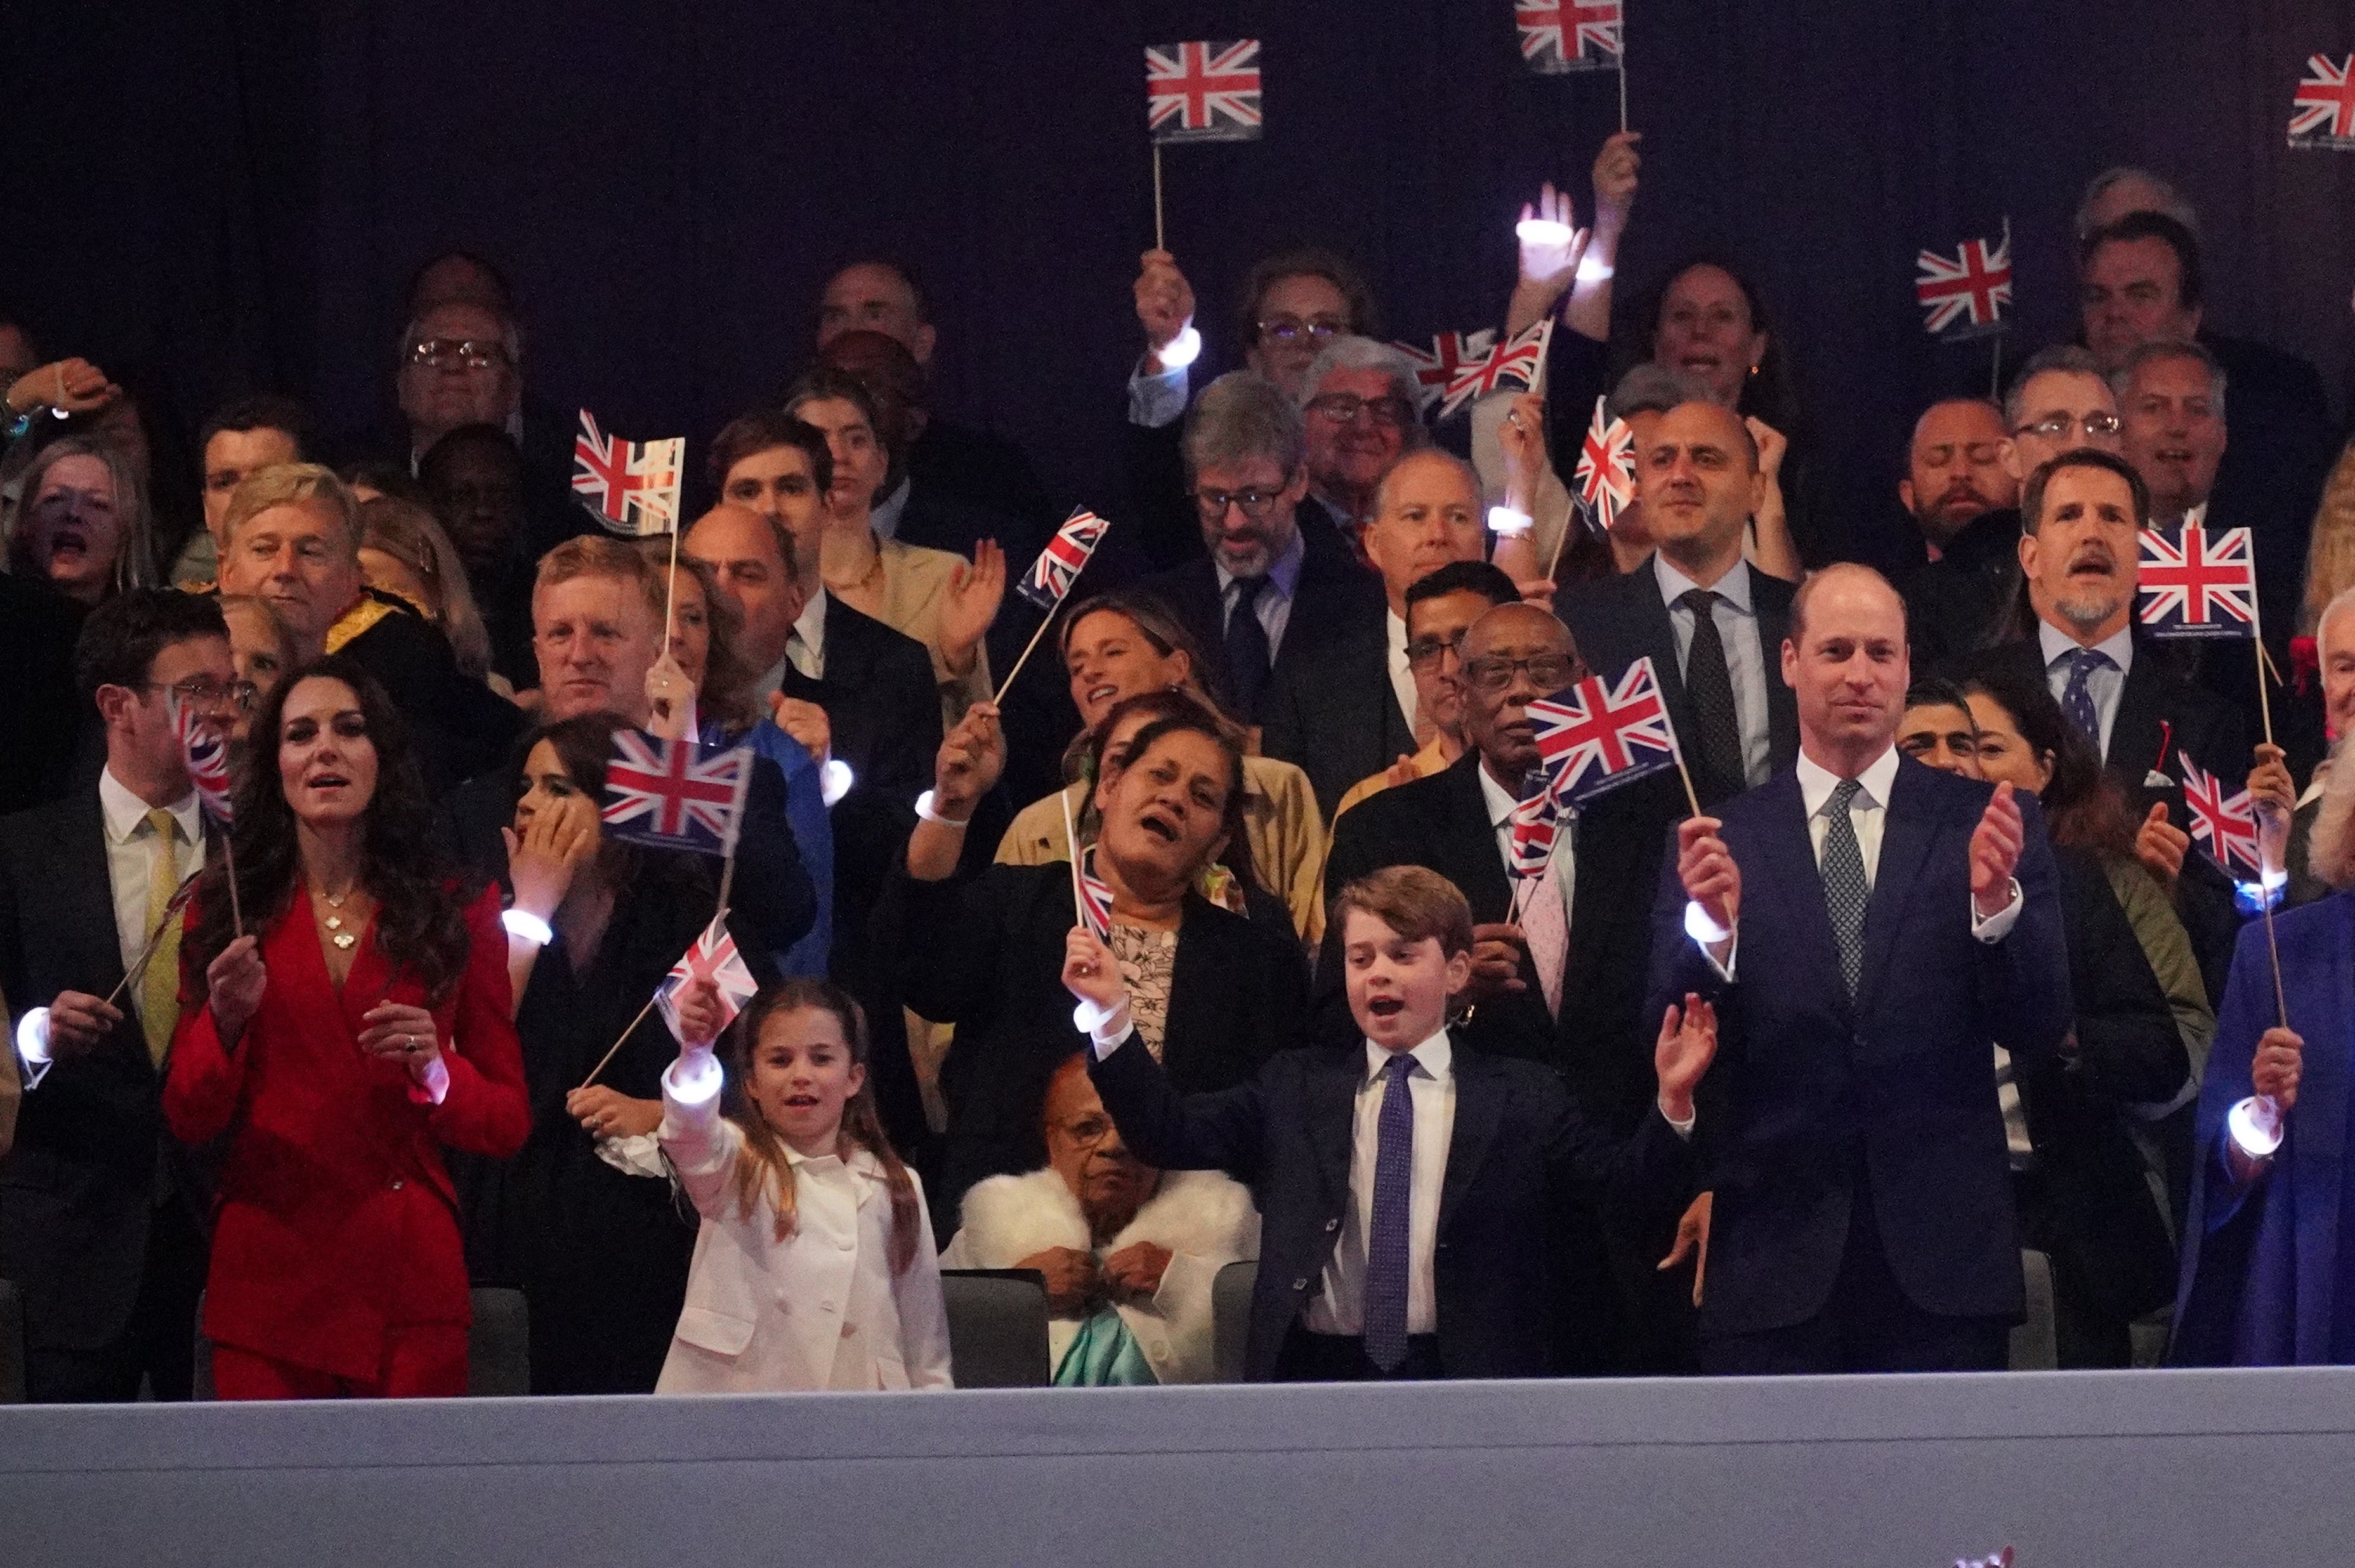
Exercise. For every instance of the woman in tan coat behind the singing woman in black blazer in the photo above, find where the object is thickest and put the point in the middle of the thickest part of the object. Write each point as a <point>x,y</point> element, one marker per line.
<point>1117,649</point>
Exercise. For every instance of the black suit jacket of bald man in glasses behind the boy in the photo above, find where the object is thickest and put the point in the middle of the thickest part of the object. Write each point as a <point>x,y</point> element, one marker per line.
<point>1442,823</point>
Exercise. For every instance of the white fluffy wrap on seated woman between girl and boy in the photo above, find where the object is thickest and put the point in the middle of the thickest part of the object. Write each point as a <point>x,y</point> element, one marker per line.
<point>1200,1216</point>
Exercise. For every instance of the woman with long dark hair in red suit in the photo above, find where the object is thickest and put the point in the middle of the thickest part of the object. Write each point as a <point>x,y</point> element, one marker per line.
<point>340,1044</point>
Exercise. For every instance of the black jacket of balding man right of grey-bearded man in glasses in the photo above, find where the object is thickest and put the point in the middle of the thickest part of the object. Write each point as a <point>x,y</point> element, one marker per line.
<point>1334,712</point>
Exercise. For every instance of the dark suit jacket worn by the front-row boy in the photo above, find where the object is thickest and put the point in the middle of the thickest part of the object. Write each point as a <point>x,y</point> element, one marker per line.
<point>1292,1134</point>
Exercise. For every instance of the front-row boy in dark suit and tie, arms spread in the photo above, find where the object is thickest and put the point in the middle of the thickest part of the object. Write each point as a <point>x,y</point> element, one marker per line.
<point>1402,1181</point>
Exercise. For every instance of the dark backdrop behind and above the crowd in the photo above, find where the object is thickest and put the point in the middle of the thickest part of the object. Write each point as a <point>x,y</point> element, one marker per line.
<point>230,194</point>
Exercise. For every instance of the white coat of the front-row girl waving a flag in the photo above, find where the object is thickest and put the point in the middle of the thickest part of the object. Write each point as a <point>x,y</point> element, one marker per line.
<point>818,1310</point>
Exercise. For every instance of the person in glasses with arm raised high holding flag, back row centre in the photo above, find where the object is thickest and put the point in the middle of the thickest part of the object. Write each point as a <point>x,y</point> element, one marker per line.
<point>1292,307</point>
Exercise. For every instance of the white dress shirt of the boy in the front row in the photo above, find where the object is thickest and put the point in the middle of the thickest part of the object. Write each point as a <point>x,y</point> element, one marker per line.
<point>1339,1305</point>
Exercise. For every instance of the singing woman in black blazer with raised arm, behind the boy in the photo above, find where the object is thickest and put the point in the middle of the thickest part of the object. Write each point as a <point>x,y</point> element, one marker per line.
<point>1216,992</point>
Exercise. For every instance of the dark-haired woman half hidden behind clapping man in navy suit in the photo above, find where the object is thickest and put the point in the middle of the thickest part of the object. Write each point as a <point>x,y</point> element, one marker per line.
<point>2078,1171</point>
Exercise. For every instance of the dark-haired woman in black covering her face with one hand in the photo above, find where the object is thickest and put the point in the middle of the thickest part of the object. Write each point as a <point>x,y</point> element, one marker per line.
<point>583,1221</point>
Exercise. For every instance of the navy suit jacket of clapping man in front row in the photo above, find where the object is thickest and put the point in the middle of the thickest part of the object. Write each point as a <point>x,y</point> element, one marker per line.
<point>1897,1087</point>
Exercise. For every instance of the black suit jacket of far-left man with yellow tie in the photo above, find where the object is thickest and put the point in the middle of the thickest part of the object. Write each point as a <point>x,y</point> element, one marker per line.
<point>79,1188</point>
